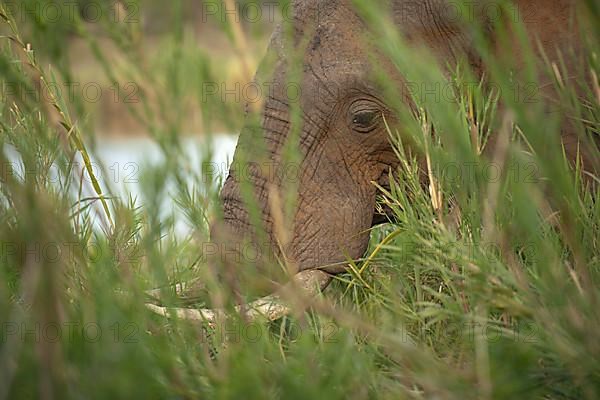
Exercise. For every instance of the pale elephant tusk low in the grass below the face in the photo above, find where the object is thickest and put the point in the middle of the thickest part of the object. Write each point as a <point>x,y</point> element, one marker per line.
<point>303,285</point>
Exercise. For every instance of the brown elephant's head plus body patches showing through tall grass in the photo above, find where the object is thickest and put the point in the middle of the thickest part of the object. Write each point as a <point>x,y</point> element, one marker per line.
<point>342,140</point>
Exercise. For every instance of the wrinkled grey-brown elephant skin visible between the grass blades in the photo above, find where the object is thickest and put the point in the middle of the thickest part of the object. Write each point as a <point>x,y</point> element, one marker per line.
<point>343,143</point>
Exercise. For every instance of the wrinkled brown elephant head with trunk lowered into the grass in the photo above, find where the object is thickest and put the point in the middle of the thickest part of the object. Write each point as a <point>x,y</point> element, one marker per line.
<point>342,147</point>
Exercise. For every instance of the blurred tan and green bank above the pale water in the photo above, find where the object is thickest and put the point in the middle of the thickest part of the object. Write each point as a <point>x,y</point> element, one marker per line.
<point>115,52</point>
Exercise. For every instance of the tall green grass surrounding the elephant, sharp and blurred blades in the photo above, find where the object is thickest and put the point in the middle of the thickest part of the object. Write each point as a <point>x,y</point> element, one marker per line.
<point>497,301</point>
